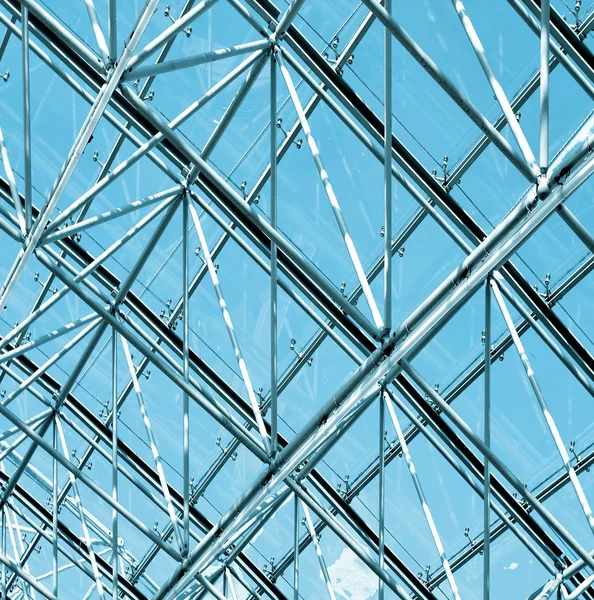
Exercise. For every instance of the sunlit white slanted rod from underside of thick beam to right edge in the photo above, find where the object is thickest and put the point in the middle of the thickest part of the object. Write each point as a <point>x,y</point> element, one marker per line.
<point>552,426</point>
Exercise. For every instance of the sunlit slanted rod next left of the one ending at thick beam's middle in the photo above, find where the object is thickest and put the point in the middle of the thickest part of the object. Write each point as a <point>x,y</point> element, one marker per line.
<point>230,330</point>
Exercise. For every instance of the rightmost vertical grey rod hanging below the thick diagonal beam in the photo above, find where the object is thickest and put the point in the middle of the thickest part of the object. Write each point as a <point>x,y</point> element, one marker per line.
<point>487,440</point>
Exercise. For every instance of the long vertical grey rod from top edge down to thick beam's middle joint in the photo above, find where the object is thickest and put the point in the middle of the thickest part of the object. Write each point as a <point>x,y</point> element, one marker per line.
<point>387,180</point>
